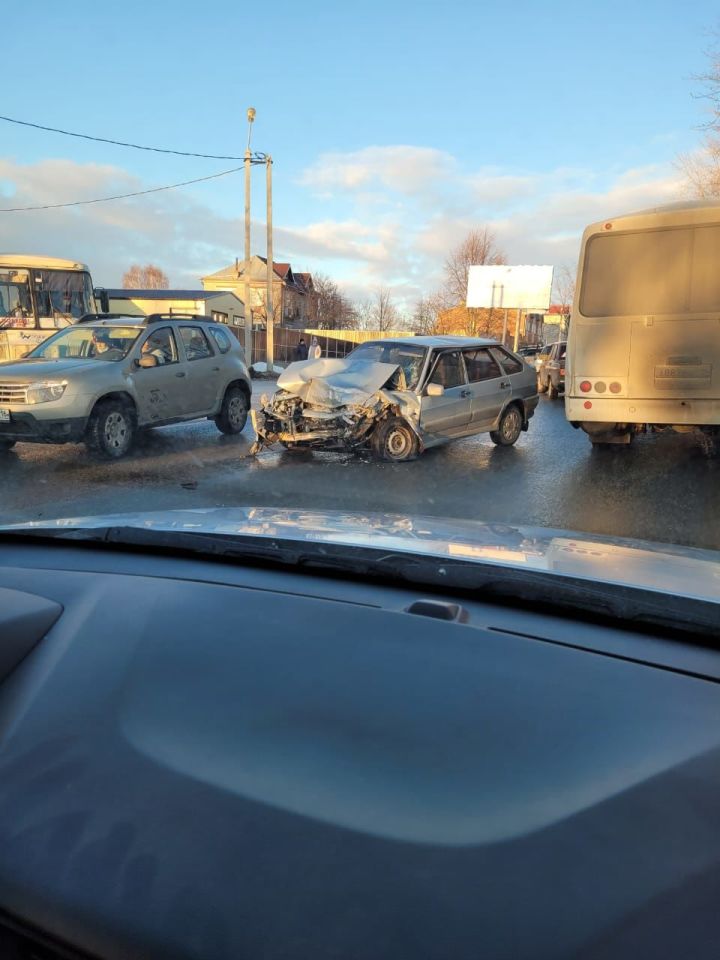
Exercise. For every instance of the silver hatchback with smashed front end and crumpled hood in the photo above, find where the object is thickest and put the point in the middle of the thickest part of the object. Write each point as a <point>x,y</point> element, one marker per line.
<point>400,396</point>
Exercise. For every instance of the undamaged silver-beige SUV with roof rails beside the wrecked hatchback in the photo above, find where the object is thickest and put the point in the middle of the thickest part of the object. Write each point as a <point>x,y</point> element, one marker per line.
<point>108,376</point>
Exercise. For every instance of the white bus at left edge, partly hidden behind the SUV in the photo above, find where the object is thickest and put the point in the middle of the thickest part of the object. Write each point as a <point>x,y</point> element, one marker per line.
<point>37,296</point>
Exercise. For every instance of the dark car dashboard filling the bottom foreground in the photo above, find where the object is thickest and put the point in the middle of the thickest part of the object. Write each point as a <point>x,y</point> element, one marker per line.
<point>201,759</point>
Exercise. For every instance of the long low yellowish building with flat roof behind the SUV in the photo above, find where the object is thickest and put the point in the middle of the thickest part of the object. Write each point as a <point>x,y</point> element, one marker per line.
<point>220,305</point>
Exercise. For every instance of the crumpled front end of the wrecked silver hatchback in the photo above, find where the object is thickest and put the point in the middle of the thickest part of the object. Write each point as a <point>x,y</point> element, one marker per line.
<point>330,405</point>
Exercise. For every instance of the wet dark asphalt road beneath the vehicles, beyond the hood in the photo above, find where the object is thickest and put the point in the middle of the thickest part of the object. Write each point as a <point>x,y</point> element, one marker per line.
<point>662,488</point>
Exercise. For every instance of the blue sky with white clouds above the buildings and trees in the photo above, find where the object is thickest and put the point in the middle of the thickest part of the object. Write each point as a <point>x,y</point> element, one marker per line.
<point>395,127</point>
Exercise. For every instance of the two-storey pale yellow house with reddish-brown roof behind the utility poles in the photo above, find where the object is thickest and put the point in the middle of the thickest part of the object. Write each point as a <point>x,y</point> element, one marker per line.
<point>293,300</point>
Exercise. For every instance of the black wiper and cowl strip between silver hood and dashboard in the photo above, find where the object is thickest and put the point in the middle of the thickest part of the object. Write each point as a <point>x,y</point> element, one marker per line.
<point>539,591</point>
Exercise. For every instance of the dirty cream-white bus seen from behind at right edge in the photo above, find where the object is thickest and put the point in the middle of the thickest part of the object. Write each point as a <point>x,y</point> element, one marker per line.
<point>644,341</point>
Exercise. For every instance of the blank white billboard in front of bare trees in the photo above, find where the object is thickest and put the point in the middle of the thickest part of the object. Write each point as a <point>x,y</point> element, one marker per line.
<point>516,287</point>
